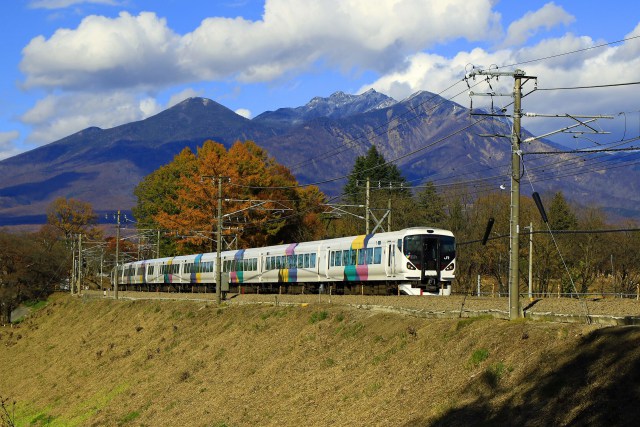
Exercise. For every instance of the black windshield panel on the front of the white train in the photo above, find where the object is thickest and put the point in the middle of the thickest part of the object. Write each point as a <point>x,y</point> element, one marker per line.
<point>425,252</point>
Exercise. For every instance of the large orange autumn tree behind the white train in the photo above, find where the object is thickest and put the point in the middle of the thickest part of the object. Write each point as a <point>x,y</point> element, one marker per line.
<point>262,202</point>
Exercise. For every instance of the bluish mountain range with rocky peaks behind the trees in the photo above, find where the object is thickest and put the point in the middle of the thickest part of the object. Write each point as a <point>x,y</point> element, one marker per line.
<point>428,137</point>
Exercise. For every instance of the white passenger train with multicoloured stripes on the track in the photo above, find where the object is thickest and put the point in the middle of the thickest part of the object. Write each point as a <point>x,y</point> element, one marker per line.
<point>412,261</point>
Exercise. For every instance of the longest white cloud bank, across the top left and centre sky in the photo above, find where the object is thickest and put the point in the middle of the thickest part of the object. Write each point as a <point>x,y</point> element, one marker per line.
<point>142,51</point>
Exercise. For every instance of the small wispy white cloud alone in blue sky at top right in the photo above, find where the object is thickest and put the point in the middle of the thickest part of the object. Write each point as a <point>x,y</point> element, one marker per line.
<point>547,17</point>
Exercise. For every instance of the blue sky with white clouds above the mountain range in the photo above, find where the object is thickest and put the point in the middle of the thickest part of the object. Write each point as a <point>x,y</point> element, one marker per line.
<point>71,64</point>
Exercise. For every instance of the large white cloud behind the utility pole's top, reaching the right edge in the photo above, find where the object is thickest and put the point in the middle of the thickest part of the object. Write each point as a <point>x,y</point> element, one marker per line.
<point>585,68</point>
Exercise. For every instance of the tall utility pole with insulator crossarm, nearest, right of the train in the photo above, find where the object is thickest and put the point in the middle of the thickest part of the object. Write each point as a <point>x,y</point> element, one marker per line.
<point>516,153</point>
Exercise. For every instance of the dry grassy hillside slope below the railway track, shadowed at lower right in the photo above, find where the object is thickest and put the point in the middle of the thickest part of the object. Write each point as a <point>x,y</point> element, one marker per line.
<point>106,362</point>
